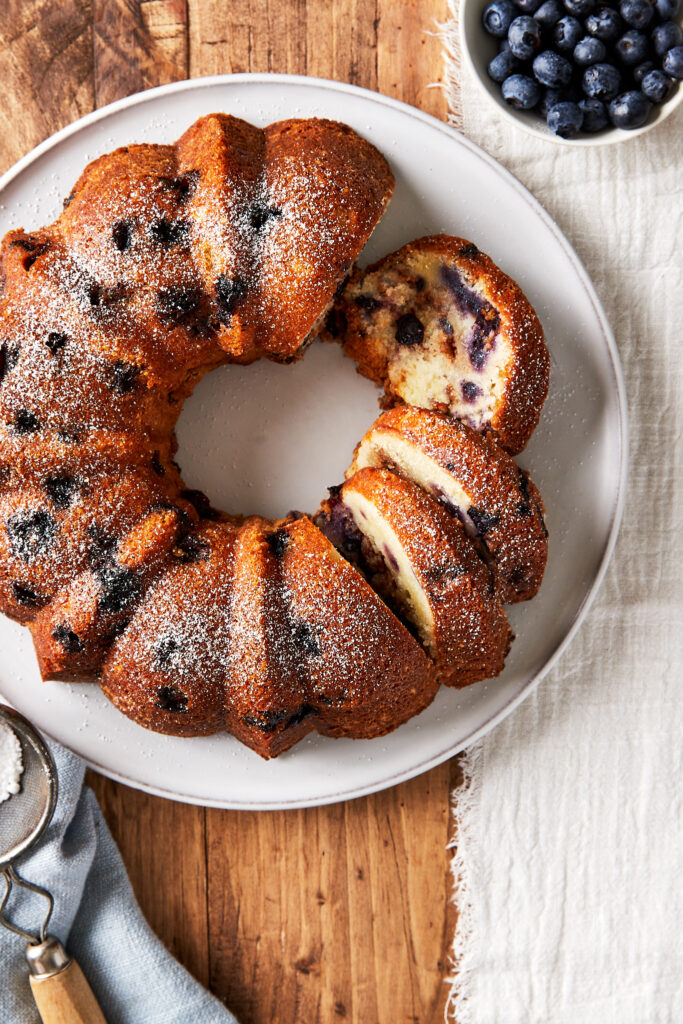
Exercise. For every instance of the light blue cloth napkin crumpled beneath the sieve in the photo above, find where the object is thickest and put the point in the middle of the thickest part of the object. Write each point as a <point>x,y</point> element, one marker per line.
<point>97,917</point>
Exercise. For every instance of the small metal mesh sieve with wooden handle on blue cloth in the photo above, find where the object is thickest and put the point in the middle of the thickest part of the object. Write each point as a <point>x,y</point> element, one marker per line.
<point>59,987</point>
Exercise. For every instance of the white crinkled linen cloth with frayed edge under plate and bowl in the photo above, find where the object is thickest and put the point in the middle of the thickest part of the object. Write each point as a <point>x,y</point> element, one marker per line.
<point>569,851</point>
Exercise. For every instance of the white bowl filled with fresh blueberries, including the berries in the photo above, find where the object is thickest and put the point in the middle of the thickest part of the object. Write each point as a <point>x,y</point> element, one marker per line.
<point>581,72</point>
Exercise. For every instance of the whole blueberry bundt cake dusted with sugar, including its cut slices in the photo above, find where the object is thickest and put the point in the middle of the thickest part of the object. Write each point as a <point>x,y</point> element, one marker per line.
<point>230,246</point>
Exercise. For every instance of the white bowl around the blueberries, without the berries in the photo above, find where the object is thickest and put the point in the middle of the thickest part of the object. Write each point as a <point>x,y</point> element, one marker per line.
<point>479,49</point>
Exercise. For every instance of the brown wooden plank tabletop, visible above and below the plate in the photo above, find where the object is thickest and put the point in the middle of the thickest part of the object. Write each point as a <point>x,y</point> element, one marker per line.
<point>302,917</point>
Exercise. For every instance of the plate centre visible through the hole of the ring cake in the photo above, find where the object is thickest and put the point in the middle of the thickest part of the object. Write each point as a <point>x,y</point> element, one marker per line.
<point>268,439</point>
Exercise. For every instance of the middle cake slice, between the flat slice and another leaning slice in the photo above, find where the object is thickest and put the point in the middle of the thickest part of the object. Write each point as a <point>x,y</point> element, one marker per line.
<point>476,481</point>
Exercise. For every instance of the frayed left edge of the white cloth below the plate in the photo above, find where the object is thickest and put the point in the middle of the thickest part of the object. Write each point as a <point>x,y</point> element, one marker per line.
<point>465,950</point>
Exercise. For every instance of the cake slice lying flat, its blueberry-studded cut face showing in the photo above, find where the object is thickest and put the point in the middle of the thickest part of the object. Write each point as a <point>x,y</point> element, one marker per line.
<point>438,325</point>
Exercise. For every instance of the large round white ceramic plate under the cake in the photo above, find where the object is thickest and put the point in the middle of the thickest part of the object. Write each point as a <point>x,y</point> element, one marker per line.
<point>268,439</point>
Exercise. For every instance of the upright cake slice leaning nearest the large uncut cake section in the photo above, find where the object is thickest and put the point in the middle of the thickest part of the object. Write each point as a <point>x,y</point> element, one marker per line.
<point>422,563</point>
